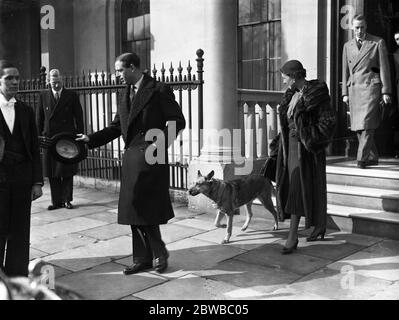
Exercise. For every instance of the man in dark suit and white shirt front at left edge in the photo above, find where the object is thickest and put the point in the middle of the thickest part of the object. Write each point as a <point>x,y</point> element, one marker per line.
<point>21,177</point>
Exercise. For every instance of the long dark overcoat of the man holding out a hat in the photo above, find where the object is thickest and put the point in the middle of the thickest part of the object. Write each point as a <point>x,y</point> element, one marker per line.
<point>144,193</point>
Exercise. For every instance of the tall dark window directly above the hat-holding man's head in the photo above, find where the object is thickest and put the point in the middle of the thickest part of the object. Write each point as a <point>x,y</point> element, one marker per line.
<point>136,34</point>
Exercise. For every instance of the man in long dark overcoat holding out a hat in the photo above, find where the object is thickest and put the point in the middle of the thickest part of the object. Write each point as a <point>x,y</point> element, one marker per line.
<point>146,107</point>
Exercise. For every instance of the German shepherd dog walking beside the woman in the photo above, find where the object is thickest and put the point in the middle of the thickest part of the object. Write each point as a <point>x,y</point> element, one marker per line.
<point>230,195</point>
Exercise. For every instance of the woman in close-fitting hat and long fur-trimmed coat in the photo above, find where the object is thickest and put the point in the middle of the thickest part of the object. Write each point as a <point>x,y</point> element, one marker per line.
<point>307,125</point>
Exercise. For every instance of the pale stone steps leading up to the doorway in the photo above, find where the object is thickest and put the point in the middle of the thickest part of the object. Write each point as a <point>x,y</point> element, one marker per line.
<point>364,201</point>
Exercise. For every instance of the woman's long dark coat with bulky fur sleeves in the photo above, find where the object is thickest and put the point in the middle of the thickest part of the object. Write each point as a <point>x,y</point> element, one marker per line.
<point>315,120</point>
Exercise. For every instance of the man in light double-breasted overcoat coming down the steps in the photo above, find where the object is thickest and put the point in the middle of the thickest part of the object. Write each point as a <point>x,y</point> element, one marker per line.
<point>365,85</point>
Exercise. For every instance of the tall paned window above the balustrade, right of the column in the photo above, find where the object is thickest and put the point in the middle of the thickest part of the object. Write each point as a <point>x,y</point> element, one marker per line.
<point>259,52</point>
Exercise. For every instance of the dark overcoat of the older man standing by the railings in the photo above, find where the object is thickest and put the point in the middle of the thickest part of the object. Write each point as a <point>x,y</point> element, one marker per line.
<point>53,118</point>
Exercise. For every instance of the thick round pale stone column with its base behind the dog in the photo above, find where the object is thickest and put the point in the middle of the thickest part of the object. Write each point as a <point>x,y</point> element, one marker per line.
<point>220,100</point>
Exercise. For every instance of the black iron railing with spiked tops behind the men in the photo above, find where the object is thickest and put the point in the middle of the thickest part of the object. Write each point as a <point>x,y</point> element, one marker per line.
<point>99,95</point>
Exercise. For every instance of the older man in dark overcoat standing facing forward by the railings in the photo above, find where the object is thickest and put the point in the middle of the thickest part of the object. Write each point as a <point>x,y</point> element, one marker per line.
<point>59,110</point>
